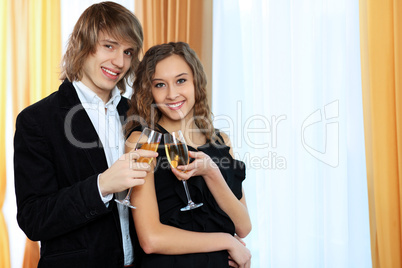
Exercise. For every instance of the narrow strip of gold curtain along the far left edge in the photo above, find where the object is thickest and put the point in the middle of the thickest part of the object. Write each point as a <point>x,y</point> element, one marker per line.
<point>4,48</point>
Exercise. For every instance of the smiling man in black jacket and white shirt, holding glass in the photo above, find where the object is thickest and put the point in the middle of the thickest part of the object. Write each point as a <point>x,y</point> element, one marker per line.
<point>68,158</point>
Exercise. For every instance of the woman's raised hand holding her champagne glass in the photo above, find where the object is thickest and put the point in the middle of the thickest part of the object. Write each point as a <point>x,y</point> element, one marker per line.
<point>201,166</point>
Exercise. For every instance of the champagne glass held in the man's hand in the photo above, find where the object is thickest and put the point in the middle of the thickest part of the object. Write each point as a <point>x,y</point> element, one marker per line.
<point>148,140</point>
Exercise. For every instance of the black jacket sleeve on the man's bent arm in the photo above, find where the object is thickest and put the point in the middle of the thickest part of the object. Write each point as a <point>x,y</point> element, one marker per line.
<point>47,205</point>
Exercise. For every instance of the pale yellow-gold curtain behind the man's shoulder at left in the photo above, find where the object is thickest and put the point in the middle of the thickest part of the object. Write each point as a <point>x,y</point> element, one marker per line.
<point>35,59</point>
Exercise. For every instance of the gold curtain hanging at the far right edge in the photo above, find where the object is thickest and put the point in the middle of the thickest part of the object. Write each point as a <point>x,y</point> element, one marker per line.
<point>381,61</point>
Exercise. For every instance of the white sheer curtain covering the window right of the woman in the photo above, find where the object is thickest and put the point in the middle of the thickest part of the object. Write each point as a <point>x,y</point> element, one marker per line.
<point>287,90</point>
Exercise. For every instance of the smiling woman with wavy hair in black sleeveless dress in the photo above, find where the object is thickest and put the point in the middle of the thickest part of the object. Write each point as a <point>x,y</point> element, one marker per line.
<point>170,95</point>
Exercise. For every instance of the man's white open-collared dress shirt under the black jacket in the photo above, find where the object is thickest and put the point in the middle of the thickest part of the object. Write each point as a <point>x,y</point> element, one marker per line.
<point>105,119</point>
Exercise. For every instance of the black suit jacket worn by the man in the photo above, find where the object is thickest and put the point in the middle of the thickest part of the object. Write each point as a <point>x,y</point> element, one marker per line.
<point>57,159</point>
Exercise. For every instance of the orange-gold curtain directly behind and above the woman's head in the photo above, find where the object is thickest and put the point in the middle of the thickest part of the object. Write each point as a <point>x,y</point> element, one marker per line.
<point>189,21</point>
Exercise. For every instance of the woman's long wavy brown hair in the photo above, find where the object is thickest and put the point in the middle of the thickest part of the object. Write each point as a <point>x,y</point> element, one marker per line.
<point>143,109</point>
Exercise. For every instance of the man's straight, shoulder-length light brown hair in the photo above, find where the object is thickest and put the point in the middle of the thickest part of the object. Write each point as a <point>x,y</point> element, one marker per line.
<point>107,17</point>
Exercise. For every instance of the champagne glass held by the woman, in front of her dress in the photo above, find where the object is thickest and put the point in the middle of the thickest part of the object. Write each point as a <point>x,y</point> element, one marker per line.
<point>177,154</point>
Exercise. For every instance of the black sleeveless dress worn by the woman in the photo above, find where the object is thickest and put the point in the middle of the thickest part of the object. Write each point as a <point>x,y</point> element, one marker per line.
<point>207,218</point>
